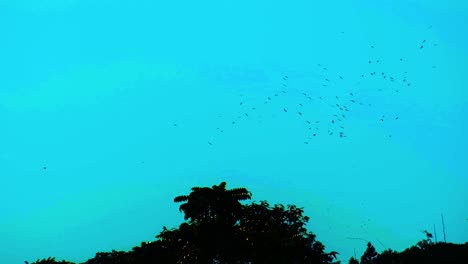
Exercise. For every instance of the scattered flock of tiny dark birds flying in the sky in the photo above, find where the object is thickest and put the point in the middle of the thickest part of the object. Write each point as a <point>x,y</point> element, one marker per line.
<point>331,123</point>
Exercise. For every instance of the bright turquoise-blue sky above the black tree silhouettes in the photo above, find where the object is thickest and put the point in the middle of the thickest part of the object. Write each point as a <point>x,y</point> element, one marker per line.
<point>110,109</point>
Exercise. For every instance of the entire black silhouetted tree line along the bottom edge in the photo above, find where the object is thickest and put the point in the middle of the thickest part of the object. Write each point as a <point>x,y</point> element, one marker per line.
<point>219,229</point>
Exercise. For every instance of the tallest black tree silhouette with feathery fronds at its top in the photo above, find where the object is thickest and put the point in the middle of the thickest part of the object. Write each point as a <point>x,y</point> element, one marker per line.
<point>210,234</point>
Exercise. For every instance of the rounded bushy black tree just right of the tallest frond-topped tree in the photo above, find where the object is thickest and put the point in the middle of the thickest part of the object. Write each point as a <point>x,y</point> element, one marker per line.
<point>279,234</point>
